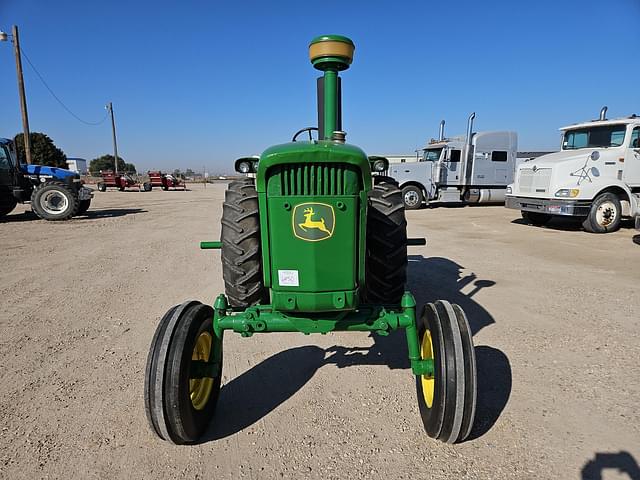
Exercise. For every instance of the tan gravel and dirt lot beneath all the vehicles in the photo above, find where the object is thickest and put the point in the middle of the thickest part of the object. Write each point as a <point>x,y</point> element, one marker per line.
<point>554,312</point>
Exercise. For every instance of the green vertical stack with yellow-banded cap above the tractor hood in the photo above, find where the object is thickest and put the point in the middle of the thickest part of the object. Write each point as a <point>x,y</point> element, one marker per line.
<point>330,54</point>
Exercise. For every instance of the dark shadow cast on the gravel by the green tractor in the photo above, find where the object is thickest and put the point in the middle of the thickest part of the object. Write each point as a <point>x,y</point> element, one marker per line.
<point>251,396</point>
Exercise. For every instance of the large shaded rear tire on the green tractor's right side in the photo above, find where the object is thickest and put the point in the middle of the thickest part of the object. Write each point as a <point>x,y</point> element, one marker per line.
<point>386,257</point>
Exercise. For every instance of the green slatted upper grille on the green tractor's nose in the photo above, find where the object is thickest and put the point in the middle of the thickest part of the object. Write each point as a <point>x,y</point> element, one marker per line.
<point>315,179</point>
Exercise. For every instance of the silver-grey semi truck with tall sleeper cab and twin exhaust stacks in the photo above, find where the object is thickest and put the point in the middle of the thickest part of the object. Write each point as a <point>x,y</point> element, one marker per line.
<point>474,168</point>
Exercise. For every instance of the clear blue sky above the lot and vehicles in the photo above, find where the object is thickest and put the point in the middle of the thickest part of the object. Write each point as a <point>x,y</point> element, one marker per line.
<point>200,83</point>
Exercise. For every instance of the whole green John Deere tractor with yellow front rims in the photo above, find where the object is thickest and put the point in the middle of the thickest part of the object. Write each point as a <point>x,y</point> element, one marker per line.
<point>312,245</point>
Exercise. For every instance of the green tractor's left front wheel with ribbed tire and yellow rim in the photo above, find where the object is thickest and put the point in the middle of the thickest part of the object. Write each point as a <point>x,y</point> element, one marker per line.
<point>183,374</point>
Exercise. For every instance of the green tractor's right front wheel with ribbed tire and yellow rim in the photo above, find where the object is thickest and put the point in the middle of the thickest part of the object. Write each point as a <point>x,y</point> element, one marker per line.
<point>447,399</point>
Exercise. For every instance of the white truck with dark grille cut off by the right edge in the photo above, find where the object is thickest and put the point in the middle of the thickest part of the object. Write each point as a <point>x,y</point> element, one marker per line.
<point>595,176</point>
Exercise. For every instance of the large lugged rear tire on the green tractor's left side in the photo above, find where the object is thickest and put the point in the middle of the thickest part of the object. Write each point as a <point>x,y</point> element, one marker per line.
<point>241,252</point>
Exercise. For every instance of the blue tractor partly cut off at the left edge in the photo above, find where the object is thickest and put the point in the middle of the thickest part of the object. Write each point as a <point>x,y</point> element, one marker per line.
<point>54,193</point>
